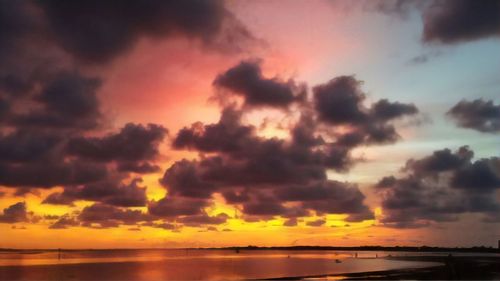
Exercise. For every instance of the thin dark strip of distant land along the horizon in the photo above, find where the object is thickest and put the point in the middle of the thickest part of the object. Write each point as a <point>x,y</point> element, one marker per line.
<point>476,249</point>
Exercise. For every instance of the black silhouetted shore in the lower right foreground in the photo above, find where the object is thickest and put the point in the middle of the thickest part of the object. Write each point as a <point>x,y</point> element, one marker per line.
<point>452,268</point>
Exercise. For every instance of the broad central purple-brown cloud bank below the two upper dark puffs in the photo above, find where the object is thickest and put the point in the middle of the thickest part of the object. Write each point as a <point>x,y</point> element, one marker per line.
<point>262,175</point>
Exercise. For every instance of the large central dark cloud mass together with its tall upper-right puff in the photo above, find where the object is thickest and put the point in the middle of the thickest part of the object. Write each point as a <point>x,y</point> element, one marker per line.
<point>265,175</point>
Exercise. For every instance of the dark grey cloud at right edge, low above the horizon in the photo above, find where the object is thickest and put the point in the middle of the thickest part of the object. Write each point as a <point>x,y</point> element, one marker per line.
<point>439,188</point>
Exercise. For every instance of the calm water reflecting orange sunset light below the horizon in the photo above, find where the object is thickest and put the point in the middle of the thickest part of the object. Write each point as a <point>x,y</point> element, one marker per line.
<point>191,264</point>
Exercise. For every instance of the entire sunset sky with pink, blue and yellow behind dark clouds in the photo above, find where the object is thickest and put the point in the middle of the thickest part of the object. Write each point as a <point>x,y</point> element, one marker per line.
<point>232,123</point>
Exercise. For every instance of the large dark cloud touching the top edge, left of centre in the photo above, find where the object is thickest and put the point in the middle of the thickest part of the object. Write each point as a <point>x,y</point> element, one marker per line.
<point>97,32</point>
